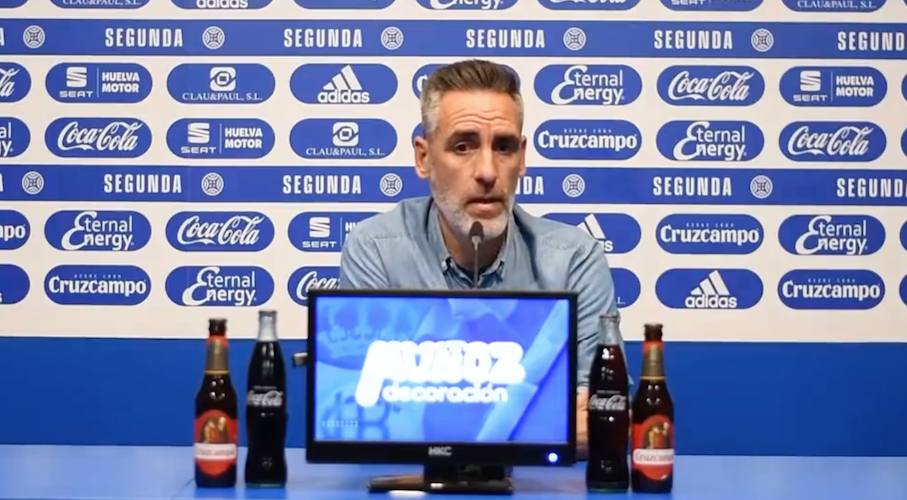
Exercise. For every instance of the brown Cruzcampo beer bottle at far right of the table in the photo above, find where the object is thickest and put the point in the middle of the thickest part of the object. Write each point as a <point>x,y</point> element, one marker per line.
<point>652,439</point>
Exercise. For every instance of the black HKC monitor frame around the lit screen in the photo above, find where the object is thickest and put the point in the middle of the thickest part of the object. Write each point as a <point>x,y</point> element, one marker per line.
<point>460,452</point>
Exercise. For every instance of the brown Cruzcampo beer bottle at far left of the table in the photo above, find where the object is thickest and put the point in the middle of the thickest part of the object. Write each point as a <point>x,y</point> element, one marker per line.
<point>215,415</point>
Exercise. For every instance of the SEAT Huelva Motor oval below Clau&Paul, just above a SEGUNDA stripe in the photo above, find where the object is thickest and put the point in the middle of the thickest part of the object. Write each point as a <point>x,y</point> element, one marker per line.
<point>220,138</point>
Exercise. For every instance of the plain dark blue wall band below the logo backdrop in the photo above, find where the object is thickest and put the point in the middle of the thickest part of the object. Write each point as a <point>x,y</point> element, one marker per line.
<point>730,398</point>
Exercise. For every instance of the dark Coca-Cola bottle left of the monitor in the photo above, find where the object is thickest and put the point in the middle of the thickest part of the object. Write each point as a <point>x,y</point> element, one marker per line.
<point>266,408</point>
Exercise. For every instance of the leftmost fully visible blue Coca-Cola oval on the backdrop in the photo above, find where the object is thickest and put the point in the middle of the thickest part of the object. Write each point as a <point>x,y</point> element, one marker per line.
<point>98,137</point>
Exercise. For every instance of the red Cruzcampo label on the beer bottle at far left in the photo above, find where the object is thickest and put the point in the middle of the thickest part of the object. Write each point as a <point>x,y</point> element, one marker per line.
<point>215,442</point>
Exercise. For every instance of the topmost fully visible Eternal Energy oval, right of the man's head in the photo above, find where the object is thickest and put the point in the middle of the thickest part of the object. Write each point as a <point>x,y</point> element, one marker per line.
<point>582,84</point>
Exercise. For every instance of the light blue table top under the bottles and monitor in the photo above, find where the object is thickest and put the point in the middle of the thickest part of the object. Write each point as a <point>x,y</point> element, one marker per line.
<point>133,472</point>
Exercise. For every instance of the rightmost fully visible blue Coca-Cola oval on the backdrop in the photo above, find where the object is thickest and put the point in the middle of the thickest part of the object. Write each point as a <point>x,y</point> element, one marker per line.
<point>832,141</point>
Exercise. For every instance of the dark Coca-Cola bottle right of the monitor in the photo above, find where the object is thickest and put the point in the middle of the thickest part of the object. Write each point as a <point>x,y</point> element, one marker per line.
<point>608,412</point>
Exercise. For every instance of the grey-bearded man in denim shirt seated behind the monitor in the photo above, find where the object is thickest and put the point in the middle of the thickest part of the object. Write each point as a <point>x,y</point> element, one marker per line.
<point>472,154</point>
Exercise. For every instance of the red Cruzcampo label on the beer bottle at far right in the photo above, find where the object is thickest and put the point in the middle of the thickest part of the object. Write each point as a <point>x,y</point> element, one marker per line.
<point>653,447</point>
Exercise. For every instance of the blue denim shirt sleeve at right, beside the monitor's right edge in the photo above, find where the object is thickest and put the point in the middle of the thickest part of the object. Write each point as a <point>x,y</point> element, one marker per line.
<point>590,277</point>
